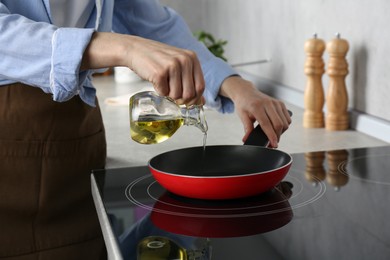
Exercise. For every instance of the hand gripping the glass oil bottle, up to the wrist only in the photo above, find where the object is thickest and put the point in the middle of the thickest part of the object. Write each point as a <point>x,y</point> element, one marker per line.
<point>174,72</point>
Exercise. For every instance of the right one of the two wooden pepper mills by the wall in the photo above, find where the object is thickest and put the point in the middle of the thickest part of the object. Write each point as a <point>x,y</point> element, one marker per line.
<point>337,97</point>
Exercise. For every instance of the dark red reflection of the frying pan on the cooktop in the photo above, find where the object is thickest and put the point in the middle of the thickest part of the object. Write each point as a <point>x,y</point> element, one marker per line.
<point>229,218</point>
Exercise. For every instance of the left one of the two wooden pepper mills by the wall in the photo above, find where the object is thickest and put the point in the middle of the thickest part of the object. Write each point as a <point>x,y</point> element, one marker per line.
<point>313,116</point>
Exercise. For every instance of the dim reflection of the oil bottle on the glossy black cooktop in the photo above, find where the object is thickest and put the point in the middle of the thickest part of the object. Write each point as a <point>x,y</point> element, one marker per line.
<point>162,248</point>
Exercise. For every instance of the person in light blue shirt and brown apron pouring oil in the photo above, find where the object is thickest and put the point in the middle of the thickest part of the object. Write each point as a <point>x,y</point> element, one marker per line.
<point>51,133</point>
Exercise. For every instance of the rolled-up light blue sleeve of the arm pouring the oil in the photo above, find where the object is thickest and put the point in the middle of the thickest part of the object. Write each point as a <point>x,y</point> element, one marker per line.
<point>42,55</point>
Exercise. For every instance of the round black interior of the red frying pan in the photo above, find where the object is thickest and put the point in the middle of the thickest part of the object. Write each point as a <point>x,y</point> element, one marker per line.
<point>223,160</point>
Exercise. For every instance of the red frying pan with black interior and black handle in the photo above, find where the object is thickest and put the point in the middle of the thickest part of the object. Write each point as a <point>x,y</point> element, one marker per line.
<point>222,171</point>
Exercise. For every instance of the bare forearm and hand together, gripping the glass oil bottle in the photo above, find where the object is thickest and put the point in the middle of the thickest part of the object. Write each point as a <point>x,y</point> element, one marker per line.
<point>174,72</point>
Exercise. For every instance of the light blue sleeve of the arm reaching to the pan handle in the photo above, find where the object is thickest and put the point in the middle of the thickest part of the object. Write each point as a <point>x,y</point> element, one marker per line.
<point>149,19</point>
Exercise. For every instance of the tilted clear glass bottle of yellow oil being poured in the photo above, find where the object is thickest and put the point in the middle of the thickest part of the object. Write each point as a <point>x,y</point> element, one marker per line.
<point>154,119</point>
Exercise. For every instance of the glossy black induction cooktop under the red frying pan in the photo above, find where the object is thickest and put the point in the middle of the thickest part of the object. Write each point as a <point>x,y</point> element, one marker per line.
<point>331,205</point>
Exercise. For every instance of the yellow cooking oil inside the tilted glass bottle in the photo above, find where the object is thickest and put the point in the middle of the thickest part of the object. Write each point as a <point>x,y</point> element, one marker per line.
<point>154,130</point>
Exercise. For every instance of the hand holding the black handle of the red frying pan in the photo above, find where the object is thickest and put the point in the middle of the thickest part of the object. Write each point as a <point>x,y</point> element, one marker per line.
<point>252,105</point>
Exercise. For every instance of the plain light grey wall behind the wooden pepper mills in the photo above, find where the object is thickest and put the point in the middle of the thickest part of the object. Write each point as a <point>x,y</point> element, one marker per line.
<point>278,29</point>
